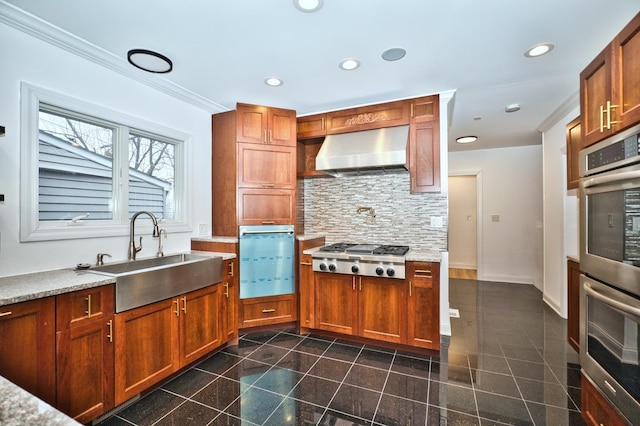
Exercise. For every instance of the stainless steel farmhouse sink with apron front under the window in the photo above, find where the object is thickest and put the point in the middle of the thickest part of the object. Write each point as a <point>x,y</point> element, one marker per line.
<point>145,281</point>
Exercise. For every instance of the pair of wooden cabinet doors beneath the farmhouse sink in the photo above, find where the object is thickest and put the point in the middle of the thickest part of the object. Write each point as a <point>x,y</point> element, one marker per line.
<point>156,340</point>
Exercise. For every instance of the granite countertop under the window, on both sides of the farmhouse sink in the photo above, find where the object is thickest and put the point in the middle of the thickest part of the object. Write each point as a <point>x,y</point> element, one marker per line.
<point>20,288</point>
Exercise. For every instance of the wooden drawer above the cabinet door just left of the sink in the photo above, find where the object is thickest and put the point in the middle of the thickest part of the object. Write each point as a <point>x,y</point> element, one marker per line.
<point>72,309</point>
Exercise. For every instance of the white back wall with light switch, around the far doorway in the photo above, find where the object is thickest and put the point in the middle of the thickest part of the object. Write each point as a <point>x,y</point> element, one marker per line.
<point>511,249</point>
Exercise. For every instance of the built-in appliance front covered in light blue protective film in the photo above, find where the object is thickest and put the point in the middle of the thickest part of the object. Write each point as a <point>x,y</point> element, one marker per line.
<point>266,260</point>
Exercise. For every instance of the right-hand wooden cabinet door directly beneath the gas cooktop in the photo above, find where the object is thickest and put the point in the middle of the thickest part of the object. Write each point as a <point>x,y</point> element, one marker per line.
<point>382,321</point>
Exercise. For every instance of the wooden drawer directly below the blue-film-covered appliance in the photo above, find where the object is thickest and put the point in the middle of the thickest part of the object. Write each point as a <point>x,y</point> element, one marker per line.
<point>267,310</point>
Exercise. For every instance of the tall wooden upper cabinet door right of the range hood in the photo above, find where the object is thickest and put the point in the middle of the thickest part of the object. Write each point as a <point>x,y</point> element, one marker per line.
<point>424,157</point>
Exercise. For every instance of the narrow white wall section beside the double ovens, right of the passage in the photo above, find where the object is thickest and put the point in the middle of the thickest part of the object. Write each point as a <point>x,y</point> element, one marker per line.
<point>560,215</point>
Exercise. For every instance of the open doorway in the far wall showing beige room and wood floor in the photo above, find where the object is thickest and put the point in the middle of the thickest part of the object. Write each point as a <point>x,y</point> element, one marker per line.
<point>463,226</point>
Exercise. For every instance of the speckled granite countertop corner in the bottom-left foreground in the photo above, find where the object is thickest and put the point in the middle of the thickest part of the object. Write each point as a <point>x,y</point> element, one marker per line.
<point>18,408</point>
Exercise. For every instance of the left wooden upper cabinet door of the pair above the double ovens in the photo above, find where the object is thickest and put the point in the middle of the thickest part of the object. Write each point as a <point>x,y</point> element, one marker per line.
<point>595,92</point>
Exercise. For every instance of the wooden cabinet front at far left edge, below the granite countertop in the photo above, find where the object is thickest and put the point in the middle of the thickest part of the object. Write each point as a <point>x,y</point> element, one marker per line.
<point>27,346</point>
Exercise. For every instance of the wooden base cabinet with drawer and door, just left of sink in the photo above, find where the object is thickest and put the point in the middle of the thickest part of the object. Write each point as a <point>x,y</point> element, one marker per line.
<point>85,352</point>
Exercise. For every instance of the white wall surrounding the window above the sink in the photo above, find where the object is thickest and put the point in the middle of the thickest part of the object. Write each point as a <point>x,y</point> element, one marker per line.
<point>25,58</point>
